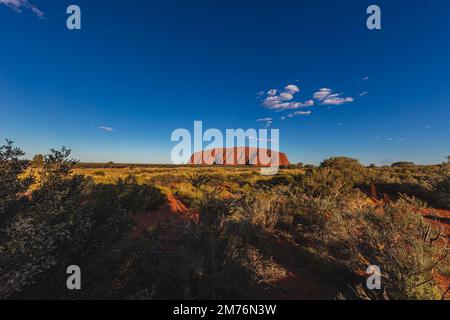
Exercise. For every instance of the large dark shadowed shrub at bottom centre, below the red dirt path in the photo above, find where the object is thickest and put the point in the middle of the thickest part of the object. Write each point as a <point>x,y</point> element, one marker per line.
<point>211,260</point>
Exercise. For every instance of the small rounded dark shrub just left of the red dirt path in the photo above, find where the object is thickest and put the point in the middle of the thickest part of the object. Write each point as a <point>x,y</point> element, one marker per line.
<point>135,197</point>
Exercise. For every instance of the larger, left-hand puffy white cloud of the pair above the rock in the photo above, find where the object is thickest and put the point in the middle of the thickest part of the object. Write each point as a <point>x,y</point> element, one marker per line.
<point>284,99</point>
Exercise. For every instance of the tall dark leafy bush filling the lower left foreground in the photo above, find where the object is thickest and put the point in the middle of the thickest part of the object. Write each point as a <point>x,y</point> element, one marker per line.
<point>46,234</point>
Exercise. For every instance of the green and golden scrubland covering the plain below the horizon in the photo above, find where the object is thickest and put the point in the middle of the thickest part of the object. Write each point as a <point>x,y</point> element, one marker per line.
<point>308,232</point>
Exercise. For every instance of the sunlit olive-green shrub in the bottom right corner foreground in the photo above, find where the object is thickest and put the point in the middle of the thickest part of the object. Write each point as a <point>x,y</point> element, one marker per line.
<point>398,240</point>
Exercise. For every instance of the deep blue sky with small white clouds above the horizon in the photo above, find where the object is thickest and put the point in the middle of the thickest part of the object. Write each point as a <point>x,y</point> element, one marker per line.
<point>141,69</point>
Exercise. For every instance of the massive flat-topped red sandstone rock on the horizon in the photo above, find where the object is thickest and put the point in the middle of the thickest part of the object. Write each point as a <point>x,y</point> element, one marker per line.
<point>239,156</point>
